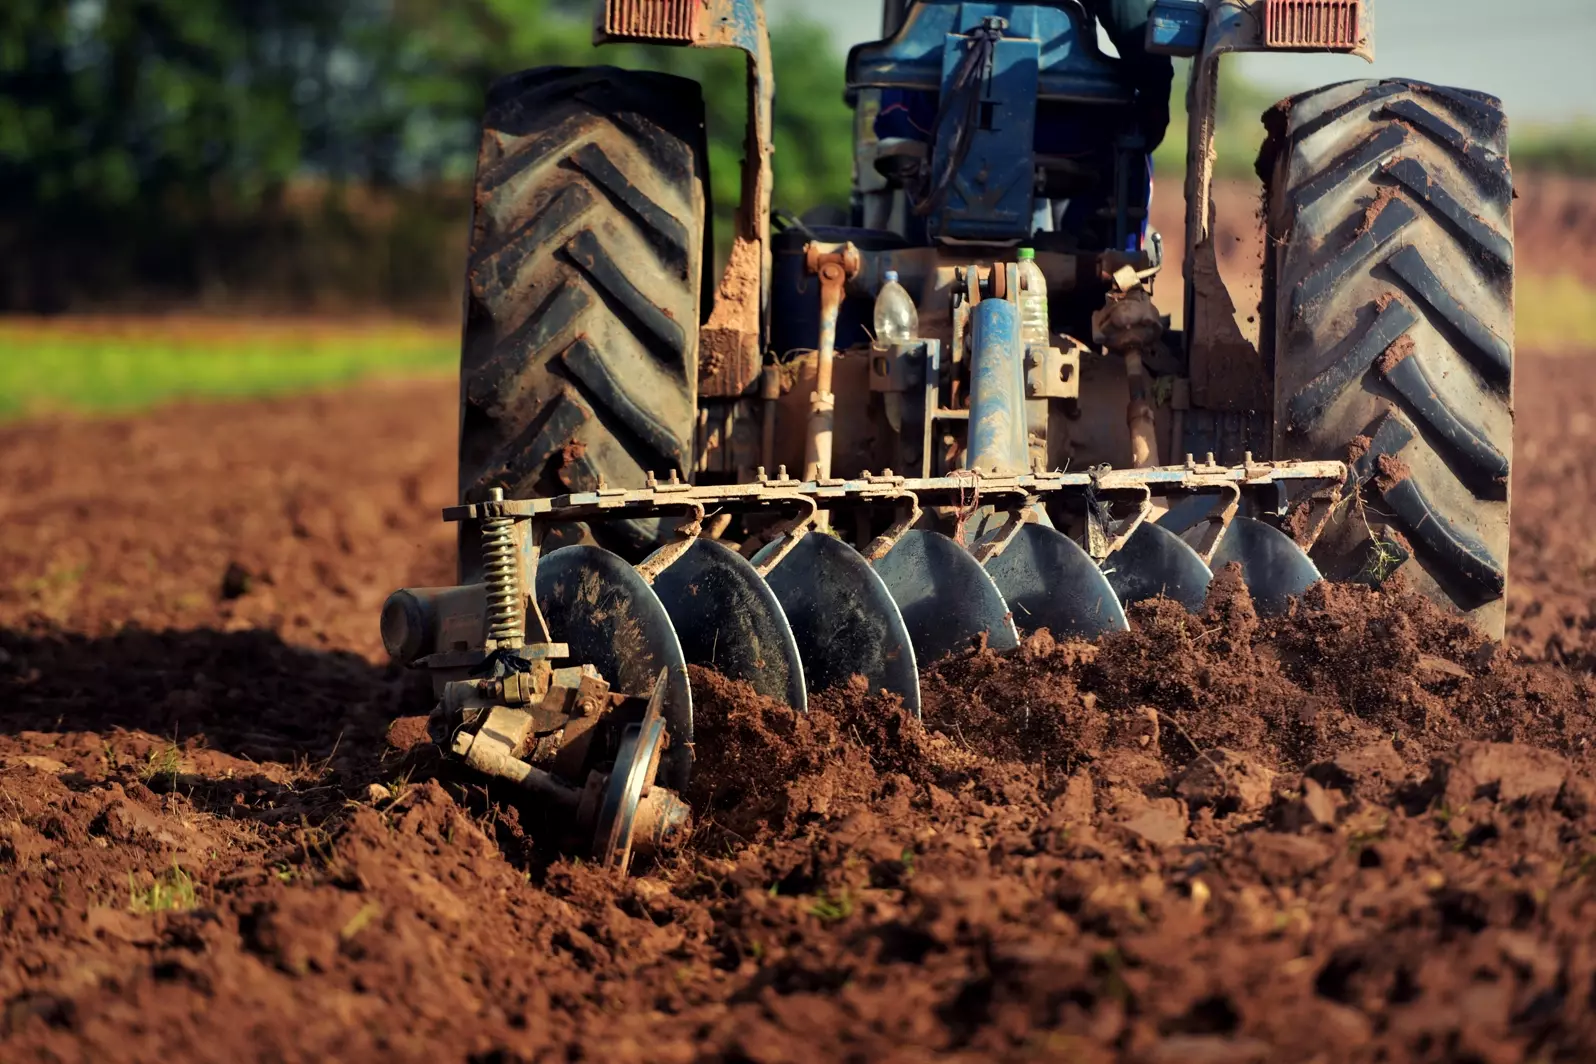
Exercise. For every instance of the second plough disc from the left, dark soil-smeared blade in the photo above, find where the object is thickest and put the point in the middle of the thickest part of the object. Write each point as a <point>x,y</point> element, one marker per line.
<point>729,620</point>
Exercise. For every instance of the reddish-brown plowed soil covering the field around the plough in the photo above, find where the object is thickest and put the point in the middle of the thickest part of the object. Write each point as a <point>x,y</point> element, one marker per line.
<point>1353,835</point>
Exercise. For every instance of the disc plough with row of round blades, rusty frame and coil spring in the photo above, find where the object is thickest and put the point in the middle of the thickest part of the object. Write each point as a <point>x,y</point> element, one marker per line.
<point>875,577</point>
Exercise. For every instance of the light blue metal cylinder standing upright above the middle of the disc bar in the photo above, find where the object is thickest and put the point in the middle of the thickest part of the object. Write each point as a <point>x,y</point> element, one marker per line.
<point>998,443</point>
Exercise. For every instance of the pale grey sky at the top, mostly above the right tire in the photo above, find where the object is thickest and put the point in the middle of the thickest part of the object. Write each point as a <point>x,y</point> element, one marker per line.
<point>1538,55</point>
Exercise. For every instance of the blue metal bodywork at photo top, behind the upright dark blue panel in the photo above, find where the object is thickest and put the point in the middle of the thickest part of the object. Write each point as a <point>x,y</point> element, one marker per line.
<point>1070,63</point>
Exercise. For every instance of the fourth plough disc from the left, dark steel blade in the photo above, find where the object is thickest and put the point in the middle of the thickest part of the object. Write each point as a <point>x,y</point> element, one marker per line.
<point>947,599</point>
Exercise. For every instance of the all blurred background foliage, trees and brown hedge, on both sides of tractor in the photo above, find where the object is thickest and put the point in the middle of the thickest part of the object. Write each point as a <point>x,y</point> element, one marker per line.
<point>317,154</point>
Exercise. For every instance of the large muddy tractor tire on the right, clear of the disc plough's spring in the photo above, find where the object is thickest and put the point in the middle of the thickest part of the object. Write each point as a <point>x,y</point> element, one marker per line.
<point>1389,298</point>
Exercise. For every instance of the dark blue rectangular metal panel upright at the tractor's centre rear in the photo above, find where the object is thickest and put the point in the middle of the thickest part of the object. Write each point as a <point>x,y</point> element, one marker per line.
<point>994,192</point>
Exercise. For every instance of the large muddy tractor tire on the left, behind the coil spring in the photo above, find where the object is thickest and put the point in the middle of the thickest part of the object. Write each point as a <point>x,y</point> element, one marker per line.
<point>583,290</point>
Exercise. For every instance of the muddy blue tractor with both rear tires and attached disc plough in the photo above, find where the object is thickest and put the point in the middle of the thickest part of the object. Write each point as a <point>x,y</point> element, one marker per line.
<point>751,475</point>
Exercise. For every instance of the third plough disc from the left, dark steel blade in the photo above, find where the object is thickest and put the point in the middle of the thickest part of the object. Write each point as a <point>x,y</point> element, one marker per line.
<point>843,618</point>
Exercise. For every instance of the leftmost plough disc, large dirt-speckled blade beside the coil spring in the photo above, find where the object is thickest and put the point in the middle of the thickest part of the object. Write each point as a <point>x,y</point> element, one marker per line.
<point>612,620</point>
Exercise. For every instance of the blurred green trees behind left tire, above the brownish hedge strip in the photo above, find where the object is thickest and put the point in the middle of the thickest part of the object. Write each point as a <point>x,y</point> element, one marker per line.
<point>130,130</point>
